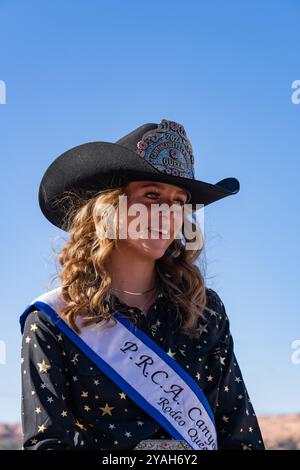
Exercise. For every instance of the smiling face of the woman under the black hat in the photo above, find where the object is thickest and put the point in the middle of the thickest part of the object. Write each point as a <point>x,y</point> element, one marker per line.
<point>154,217</point>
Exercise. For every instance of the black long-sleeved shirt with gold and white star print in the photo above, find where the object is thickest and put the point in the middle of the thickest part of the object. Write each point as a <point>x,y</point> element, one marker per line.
<point>68,403</point>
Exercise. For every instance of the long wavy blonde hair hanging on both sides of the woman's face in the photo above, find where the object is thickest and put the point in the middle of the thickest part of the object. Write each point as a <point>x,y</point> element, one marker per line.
<point>85,281</point>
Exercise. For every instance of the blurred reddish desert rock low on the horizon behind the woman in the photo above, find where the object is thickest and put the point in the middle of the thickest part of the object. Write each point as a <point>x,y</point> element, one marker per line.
<point>280,432</point>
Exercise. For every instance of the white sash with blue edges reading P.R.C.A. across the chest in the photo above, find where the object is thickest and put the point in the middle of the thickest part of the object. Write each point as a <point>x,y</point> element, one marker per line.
<point>143,370</point>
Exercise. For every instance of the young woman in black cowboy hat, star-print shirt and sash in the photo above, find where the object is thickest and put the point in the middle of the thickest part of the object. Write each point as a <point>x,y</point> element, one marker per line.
<point>132,346</point>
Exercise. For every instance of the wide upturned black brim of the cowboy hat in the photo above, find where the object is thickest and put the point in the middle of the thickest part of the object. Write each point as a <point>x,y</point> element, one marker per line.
<point>95,166</point>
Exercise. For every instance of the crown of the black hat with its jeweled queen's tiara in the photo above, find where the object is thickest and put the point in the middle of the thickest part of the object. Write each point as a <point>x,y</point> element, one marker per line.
<point>165,146</point>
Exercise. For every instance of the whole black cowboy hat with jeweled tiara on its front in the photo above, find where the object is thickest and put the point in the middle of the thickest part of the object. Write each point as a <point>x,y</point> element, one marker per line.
<point>157,152</point>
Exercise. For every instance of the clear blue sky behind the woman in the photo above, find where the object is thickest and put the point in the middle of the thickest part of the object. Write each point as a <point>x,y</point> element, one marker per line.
<point>79,71</point>
